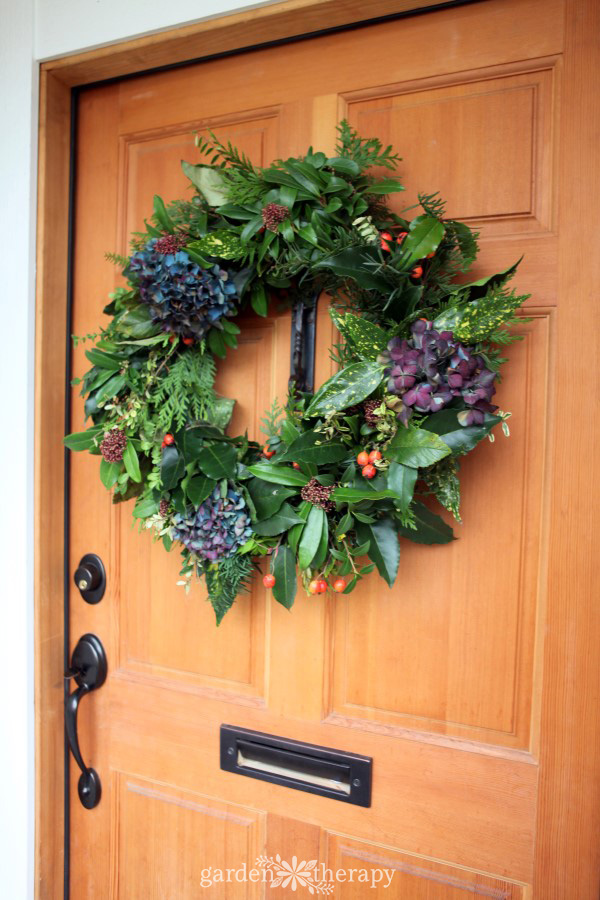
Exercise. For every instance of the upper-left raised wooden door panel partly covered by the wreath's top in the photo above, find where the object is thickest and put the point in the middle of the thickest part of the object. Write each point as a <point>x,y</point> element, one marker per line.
<point>150,160</point>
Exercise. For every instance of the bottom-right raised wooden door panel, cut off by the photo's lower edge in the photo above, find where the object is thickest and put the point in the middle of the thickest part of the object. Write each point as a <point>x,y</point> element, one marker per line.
<point>381,872</point>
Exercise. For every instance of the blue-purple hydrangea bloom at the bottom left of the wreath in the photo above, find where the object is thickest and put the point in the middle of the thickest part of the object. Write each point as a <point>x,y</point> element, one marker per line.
<point>217,528</point>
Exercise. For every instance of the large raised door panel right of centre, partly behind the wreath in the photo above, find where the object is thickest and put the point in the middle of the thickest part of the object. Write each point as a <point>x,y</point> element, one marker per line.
<point>457,655</point>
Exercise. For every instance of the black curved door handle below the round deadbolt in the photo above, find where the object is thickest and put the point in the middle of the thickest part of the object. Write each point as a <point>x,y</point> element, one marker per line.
<point>88,668</point>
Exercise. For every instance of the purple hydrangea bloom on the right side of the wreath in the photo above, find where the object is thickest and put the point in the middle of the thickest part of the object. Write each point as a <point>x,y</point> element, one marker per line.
<point>431,369</point>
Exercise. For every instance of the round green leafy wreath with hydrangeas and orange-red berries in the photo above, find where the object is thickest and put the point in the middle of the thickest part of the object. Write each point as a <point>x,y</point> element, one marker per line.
<point>345,473</point>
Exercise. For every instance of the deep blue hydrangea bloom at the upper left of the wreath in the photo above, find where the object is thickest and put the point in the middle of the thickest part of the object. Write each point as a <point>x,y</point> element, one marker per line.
<point>184,298</point>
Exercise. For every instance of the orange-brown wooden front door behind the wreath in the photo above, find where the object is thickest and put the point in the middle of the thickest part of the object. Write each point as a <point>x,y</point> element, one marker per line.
<point>455,682</point>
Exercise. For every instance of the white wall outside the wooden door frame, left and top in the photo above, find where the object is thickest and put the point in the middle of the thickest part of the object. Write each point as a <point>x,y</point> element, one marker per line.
<point>31,30</point>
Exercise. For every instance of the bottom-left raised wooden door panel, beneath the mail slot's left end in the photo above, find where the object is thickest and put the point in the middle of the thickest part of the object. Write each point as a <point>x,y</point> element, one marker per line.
<point>165,841</point>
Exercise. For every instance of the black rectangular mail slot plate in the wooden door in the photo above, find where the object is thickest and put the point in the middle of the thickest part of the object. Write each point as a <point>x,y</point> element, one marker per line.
<point>296,764</point>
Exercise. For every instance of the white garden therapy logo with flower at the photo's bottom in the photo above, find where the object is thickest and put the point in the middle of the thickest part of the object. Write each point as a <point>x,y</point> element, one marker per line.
<point>315,877</point>
